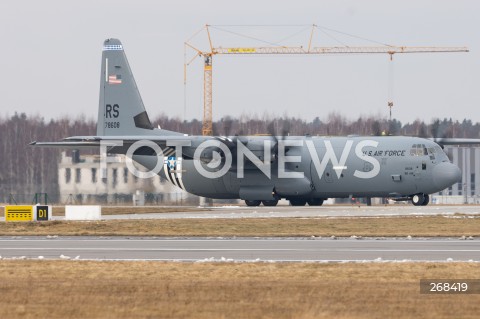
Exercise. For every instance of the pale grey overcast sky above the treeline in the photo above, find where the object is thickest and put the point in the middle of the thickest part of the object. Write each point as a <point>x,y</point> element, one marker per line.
<point>51,49</point>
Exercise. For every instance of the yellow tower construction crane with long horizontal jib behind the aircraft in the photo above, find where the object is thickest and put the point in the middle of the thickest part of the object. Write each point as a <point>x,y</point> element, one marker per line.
<point>289,50</point>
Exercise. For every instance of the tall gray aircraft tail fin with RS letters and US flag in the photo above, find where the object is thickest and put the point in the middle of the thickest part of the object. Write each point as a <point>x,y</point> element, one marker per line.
<point>121,110</point>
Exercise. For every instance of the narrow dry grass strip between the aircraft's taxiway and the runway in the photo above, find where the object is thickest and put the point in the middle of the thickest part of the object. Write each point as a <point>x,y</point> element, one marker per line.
<point>420,226</point>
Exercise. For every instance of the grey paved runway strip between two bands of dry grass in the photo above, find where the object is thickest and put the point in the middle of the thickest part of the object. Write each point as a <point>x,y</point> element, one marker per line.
<point>241,249</point>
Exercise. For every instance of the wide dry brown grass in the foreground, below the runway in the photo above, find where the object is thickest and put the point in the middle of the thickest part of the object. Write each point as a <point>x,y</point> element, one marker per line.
<point>87,289</point>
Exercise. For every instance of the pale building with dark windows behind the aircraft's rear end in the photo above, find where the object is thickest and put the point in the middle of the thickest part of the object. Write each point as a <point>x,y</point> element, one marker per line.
<point>80,180</point>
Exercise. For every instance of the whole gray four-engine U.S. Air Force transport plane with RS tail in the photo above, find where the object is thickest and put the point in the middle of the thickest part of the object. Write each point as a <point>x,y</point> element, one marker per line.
<point>260,169</point>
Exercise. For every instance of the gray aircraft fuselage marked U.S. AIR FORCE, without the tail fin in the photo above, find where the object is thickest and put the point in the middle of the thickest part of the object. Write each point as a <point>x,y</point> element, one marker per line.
<point>320,167</point>
